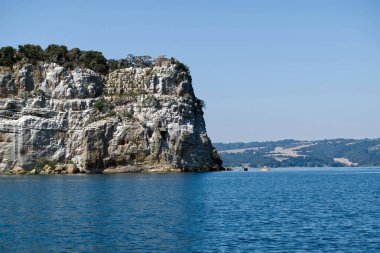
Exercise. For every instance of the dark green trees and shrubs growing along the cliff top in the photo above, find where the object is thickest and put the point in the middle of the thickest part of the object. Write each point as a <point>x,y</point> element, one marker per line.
<point>75,57</point>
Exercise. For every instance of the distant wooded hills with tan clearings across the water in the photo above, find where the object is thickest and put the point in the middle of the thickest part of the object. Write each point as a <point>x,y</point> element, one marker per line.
<point>294,153</point>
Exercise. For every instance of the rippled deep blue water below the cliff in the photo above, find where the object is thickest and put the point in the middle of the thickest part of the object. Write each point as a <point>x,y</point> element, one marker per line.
<point>283,210</point>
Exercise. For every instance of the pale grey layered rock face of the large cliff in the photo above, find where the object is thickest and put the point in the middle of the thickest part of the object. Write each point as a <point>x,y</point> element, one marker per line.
<point>132,119</point>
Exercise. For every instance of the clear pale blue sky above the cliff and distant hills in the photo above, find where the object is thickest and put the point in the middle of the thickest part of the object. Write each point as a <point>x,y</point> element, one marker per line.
<point>267,70</point>
